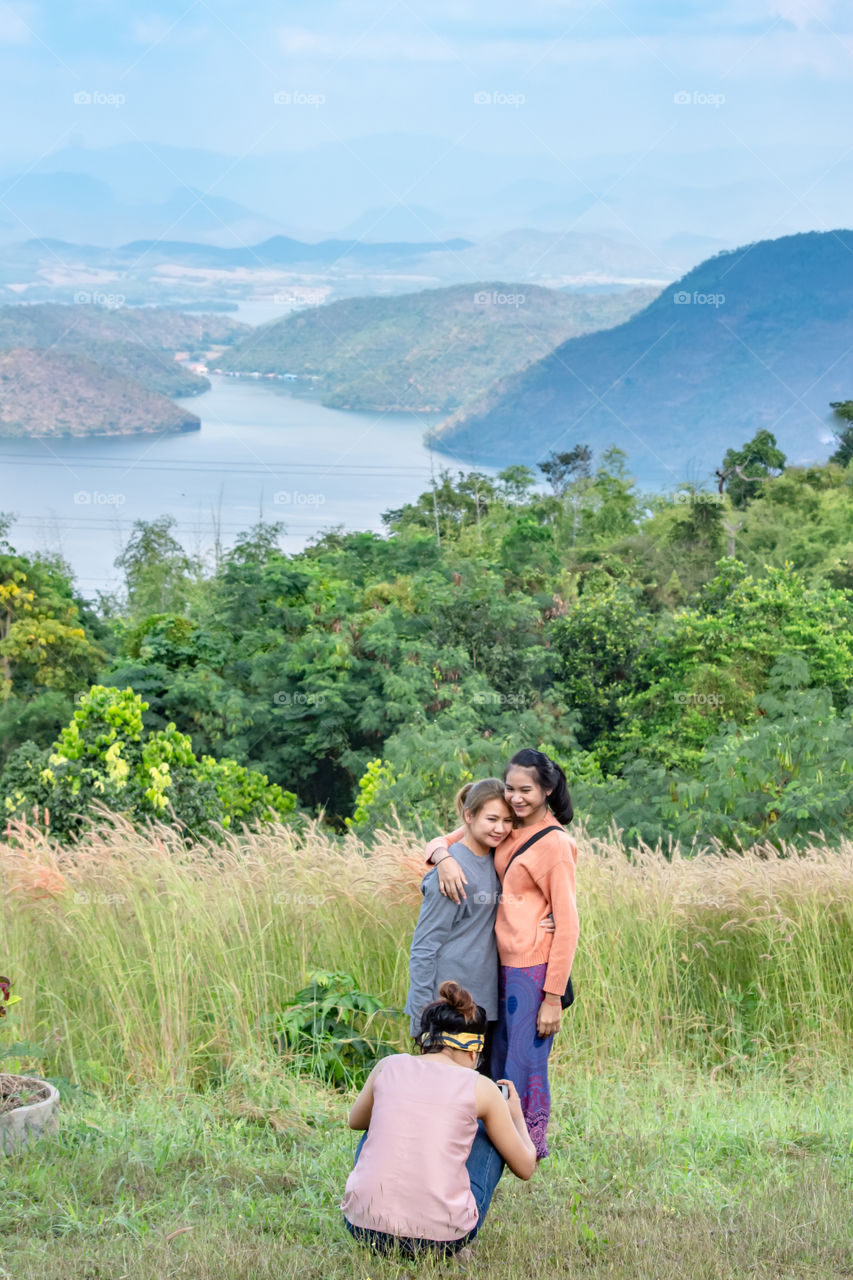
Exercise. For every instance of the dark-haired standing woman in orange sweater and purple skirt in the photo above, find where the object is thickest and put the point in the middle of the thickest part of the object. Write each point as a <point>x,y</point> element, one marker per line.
<point>535,966</point>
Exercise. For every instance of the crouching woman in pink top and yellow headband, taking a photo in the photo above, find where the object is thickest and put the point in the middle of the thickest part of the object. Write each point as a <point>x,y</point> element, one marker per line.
<point>439,1137</point>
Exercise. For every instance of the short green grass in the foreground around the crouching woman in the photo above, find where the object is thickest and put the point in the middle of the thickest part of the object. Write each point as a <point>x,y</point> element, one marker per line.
<point>653,1176</point>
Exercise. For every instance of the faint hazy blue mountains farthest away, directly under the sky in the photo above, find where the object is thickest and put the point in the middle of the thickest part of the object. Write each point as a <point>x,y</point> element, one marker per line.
<point>145,190</point>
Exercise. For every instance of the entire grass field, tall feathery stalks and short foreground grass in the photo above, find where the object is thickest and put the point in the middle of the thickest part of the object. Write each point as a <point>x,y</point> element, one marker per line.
<point>704,1100</point>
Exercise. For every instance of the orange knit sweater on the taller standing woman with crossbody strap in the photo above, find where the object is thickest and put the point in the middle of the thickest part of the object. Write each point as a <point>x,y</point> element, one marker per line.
<point>539,883</point>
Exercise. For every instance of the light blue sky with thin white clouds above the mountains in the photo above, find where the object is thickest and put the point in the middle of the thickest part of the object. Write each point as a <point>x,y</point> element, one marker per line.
<point>509,79</point>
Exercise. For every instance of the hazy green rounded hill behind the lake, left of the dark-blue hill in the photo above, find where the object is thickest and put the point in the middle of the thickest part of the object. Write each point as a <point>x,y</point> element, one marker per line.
<point>427,351</point>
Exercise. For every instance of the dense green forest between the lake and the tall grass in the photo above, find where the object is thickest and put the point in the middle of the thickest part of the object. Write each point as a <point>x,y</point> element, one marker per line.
<point>688,659</point>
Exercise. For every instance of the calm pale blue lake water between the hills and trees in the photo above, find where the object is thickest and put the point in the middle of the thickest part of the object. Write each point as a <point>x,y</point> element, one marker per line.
<point>261,451</point>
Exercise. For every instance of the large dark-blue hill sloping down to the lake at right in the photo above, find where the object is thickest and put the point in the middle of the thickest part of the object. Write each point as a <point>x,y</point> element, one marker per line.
<point>759,337</point>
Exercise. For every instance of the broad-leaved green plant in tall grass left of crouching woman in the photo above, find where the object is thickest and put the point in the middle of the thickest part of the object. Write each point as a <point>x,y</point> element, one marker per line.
<point>327,1027</point>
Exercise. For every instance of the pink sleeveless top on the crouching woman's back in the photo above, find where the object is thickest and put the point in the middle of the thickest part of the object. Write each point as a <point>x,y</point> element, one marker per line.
<point>412,1178</point>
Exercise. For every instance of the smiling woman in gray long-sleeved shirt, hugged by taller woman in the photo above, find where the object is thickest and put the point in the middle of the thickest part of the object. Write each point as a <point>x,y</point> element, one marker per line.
<point>455,941</point>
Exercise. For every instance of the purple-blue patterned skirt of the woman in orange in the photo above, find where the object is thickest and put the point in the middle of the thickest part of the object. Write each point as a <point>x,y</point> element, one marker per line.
<point>519,1053</point>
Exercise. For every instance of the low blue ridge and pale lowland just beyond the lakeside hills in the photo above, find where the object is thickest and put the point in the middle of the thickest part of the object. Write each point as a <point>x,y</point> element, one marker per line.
<point>282,272</point>
